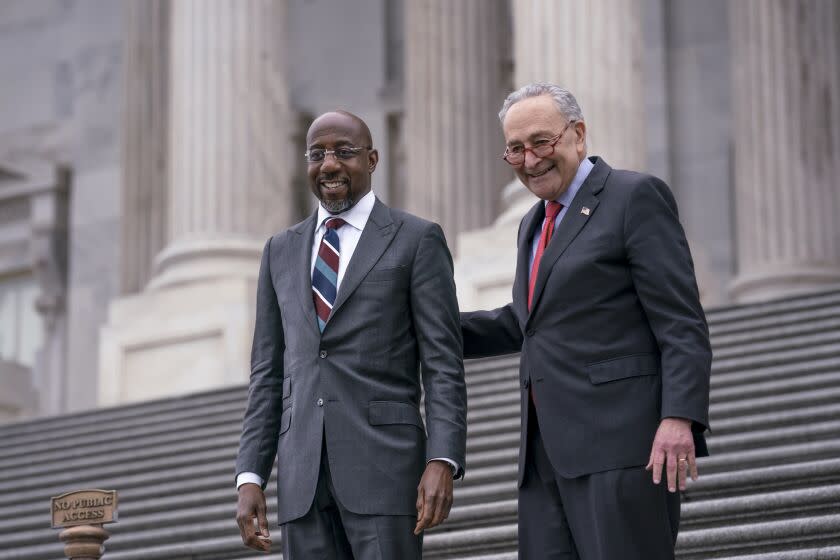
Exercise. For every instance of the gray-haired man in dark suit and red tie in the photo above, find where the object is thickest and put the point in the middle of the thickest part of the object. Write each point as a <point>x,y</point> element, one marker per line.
<point>615,363</point>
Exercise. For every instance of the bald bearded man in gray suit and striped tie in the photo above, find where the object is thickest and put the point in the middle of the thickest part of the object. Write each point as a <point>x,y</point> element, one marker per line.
<point>350,303</point>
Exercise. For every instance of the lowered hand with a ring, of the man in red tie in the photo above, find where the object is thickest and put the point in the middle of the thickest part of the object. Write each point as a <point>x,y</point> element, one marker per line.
<point>673,447</point>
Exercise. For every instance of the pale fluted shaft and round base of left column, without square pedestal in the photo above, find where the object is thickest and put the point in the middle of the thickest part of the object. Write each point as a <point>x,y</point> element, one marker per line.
<point>230,132</point>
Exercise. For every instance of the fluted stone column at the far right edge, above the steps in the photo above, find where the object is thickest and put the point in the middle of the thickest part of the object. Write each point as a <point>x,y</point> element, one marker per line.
<point>786,78</point>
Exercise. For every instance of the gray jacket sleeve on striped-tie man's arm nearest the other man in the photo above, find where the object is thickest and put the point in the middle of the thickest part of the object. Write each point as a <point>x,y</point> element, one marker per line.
<point>434,314</point>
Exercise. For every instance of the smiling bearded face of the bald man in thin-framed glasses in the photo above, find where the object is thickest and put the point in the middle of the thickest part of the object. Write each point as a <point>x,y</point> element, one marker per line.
<point>340,183</point>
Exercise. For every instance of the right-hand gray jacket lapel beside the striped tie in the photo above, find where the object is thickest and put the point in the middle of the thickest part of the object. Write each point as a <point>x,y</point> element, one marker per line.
<point>377,235</point>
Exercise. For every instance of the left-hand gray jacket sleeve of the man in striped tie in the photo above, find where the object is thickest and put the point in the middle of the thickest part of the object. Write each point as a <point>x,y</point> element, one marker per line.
<point>261,424</point>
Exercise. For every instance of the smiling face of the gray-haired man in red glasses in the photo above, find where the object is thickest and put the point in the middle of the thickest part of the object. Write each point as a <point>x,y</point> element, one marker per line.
<point>537,119</point>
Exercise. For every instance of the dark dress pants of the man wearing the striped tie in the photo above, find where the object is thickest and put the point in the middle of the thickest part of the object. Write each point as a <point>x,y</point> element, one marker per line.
<point>329,531</point>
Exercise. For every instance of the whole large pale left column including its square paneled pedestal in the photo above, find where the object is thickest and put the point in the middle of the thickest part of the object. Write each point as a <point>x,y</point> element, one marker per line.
<point>228,188</point>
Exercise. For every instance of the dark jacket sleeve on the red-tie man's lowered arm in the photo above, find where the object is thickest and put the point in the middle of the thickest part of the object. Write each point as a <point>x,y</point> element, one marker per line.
<point>663,275</point>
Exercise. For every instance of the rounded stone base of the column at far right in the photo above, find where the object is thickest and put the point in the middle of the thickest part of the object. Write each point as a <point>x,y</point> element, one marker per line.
<point>773,282</point>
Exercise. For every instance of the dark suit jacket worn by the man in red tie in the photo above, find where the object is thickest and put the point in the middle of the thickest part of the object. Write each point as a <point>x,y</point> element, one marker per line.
<point>616,339</point>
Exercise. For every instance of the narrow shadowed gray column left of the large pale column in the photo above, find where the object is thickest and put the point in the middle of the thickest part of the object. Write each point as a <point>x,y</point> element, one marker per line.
<point>145,140</point>
